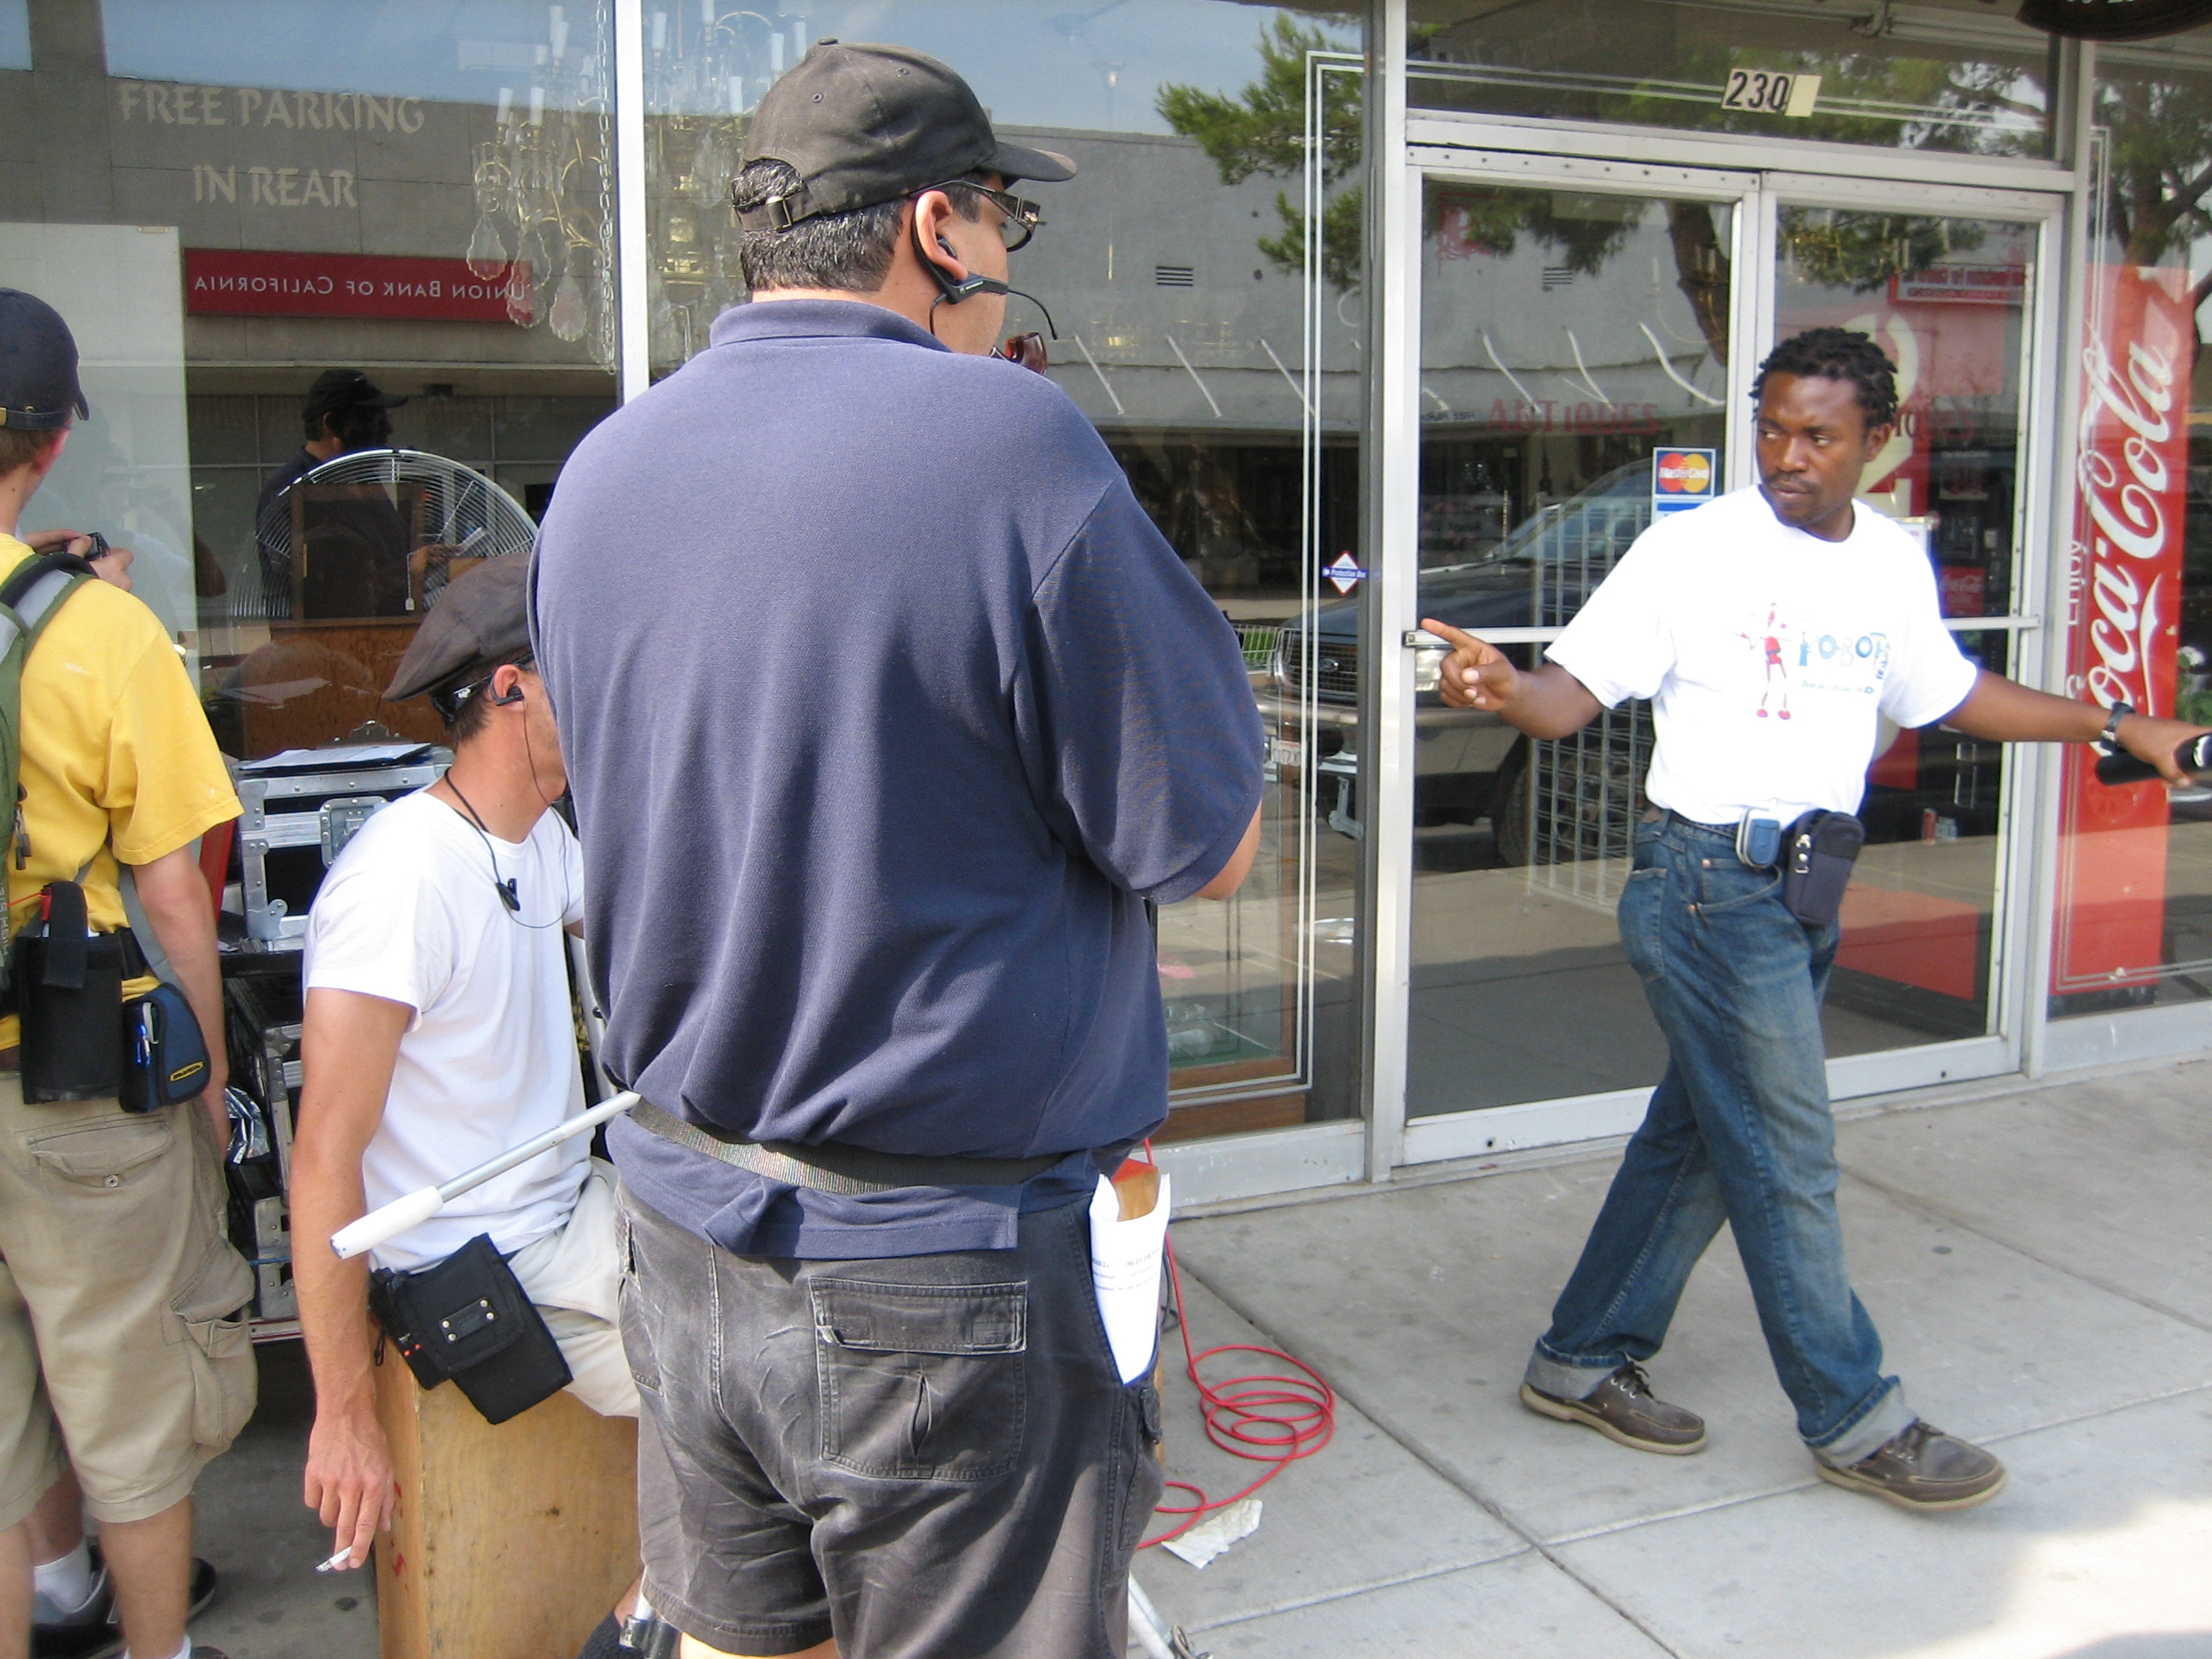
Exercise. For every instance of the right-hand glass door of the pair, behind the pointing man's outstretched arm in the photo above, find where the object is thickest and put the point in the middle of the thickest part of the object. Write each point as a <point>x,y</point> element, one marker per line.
<point>1954,302</point>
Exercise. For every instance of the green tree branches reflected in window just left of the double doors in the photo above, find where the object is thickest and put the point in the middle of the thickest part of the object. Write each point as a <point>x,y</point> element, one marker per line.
<point>1262,129</point>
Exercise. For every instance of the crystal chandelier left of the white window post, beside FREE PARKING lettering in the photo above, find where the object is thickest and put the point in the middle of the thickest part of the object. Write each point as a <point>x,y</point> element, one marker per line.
<point>545,191</point>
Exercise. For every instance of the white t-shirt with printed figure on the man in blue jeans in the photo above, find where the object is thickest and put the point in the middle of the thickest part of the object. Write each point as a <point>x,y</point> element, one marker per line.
<point>1768,656</point>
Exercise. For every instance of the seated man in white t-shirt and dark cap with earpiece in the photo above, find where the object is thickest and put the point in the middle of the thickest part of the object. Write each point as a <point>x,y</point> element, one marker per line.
<point>439,1034</point>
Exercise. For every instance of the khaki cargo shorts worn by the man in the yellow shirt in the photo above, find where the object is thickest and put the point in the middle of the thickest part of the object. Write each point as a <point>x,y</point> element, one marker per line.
<point>123,1306</point>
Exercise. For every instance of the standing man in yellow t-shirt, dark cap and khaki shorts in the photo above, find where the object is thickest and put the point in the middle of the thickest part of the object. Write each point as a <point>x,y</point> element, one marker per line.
<point>121,1297</point>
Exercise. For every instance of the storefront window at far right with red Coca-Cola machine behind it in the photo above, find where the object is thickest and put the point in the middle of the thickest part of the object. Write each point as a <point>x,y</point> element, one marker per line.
<point>2136,864</point>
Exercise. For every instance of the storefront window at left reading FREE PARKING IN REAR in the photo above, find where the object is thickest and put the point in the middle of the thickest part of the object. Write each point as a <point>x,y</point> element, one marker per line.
<point>229,202</point>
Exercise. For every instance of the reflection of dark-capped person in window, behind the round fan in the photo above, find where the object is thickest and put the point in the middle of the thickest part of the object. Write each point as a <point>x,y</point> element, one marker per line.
<point>344,415</point>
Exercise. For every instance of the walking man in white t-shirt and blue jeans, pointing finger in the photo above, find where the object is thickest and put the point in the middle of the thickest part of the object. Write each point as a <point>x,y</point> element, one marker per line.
<point>1773,629</point>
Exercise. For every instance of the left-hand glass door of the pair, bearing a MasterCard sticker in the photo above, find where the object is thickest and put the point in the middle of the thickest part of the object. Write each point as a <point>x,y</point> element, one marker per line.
<point>1578,375</point>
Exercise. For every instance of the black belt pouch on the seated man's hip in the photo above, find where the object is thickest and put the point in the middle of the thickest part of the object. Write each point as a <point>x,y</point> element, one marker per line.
<point>470,1322</point>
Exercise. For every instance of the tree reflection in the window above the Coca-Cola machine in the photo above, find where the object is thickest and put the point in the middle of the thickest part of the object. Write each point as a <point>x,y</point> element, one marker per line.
<point>2162,169</point>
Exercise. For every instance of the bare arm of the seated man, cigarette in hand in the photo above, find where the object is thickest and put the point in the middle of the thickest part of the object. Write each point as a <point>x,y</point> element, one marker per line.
<point>348,1047</point>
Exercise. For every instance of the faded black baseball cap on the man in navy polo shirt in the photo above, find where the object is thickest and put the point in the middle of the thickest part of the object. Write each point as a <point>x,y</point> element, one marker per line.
<point>866,125</point>
